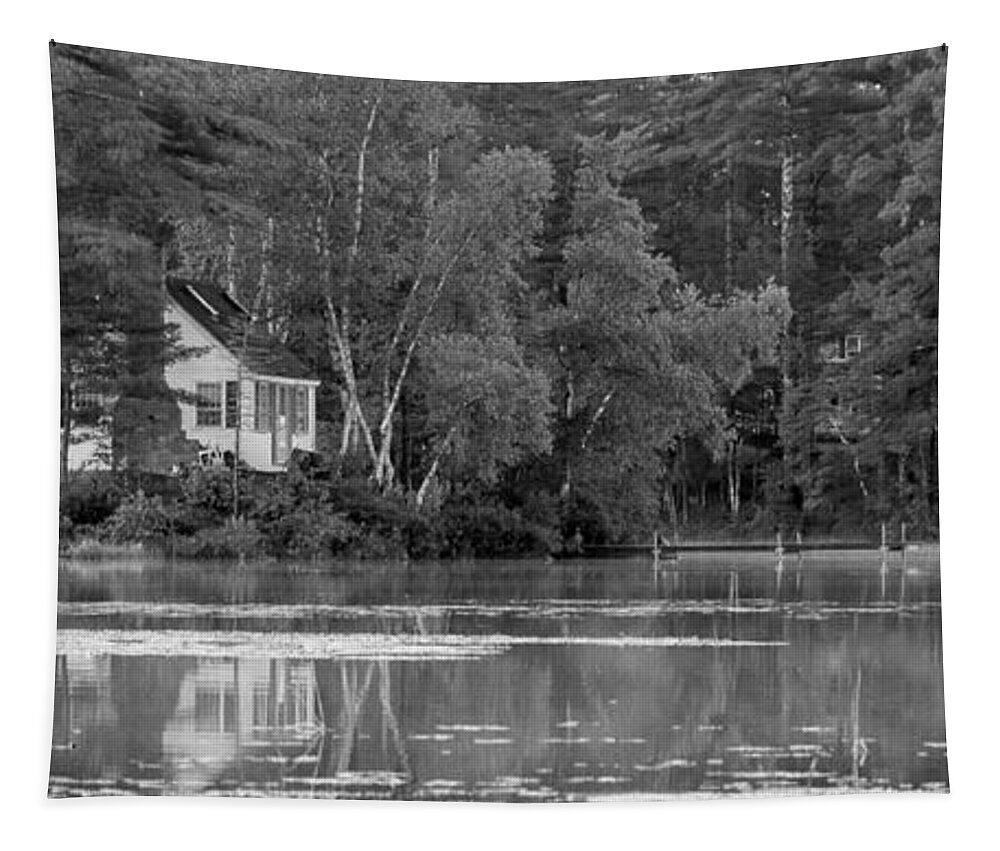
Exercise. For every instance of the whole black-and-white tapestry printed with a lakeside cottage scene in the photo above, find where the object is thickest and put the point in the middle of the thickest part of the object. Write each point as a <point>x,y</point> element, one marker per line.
<point>557,441</point>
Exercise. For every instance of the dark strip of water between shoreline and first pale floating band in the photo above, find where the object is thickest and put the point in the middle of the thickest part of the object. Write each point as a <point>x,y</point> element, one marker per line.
<point>850,581</point>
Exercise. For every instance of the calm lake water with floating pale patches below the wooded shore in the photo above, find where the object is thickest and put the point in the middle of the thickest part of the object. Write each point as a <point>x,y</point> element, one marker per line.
<point>516,681</point>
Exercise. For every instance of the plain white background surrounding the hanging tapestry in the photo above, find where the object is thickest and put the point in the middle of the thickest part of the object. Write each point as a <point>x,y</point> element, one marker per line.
<point>510,40</point>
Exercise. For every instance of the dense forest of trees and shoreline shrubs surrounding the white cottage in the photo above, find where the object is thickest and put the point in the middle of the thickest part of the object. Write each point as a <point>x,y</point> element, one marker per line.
<point>540,312</point>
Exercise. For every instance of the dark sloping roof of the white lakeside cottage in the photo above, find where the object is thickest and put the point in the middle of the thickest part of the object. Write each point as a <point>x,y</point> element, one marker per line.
<point>226,320</point>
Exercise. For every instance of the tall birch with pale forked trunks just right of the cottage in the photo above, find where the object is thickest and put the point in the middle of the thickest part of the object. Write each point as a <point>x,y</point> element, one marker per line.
<point>414,239</point>
